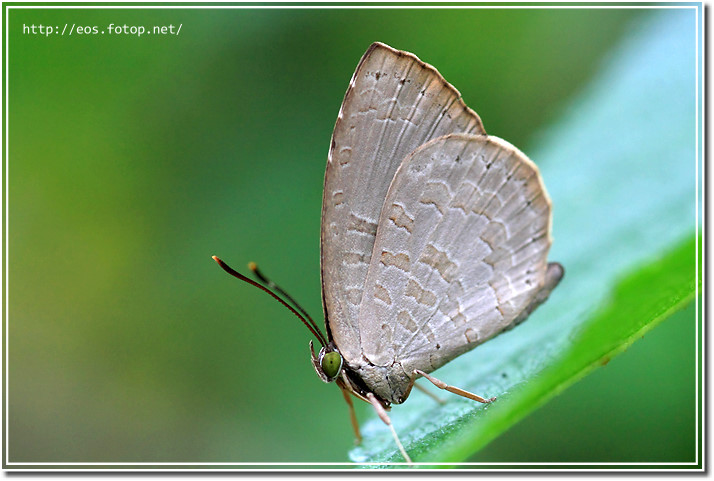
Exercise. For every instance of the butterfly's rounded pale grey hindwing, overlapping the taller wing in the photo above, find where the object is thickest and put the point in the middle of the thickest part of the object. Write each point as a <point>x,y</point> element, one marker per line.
<point>460,251</point>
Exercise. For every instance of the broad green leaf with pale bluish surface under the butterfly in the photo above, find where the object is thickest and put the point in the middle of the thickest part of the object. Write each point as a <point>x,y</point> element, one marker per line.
<point>621,168</point>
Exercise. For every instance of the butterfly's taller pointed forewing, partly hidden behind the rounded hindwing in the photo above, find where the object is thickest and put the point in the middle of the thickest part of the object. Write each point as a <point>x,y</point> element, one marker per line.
<point>394,104</point>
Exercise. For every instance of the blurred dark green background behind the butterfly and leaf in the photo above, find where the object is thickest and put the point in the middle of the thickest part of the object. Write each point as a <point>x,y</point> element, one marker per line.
<point>133,159</point>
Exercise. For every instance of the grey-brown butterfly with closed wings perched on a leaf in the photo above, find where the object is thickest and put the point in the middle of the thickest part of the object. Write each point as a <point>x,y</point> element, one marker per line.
<point>435,235</point>
